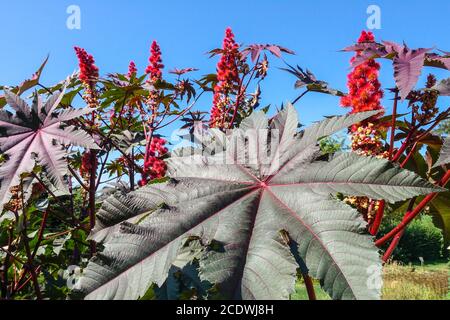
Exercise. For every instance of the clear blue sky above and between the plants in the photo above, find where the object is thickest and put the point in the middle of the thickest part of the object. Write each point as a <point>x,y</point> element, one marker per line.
<point>118,31</point>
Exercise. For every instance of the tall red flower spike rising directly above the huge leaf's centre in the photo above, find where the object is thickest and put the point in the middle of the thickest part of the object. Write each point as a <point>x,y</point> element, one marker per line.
<point>228,78</point>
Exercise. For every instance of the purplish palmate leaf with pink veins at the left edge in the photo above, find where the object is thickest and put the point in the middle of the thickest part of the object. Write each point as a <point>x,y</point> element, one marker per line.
<point>35,135</point>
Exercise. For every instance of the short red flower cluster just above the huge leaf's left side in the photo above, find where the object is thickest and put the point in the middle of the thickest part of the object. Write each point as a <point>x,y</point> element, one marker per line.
<point>154,165</point>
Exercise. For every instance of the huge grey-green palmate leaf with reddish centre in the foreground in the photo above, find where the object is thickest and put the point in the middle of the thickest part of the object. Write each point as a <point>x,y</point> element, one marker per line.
<point>246,207</point>
